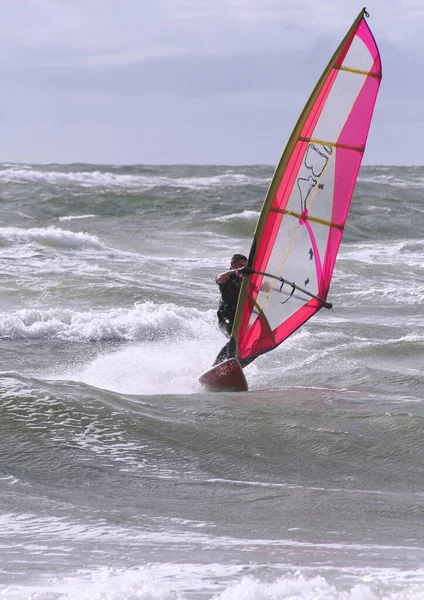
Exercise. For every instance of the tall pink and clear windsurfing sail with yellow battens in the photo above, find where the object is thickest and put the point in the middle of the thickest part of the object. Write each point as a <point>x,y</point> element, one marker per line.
<point>299,231</point>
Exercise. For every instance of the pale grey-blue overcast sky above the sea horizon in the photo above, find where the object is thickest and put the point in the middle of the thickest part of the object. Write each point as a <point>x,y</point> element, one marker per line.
<point>192,81</point>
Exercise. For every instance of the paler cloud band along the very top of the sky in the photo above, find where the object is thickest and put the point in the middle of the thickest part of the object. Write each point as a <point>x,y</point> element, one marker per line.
<point>106,33</point>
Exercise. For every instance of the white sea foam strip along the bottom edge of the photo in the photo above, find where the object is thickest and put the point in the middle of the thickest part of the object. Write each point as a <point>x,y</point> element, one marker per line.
<point>184,581</point>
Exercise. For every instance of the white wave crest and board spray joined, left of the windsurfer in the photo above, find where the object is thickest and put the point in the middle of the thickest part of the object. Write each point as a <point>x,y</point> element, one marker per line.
<point>167,357</point>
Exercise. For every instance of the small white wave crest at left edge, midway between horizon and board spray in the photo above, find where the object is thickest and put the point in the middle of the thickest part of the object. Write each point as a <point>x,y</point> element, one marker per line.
<point>49,236</point>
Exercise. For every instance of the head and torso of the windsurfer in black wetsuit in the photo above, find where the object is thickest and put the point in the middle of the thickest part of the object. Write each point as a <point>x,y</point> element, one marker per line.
<point>229,286</point>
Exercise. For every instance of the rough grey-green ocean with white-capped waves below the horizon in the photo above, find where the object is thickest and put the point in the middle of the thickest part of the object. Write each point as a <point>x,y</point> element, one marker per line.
<point>121,478</point>
